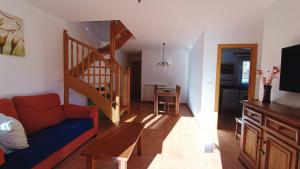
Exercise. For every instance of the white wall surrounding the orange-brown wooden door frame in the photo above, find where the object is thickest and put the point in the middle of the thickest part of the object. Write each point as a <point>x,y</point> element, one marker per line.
<point>211,40</point>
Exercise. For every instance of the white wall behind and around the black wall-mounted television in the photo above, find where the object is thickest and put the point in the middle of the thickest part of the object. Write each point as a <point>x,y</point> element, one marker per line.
<point>281,29</point>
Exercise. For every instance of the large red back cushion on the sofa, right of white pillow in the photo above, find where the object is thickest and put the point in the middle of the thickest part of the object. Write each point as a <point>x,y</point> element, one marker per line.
<point>39,112</point>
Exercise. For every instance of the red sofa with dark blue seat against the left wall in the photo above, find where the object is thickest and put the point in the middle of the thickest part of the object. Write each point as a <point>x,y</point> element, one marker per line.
<point>39,126</point>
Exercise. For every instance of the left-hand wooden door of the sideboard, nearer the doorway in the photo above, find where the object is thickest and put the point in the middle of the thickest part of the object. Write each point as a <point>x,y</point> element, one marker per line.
<point>250,144</point>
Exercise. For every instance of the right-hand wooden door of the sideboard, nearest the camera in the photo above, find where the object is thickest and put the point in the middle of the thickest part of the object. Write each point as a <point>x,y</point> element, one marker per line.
<point>277,154</point>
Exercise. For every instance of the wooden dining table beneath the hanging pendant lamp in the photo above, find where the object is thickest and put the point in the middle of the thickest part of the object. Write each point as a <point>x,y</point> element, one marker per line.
<point>166,92</point>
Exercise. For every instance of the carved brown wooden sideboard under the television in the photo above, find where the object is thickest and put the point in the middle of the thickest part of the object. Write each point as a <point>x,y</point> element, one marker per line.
<point>270,136</point>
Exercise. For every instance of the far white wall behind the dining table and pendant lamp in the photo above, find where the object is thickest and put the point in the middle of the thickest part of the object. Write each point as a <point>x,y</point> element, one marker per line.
<point>177,73</point>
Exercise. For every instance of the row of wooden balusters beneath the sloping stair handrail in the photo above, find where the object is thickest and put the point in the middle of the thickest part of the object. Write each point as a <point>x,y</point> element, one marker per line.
<point>88,65</point>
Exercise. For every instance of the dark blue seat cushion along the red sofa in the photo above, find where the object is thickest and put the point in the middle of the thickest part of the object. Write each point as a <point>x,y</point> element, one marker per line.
<point>46,142</point>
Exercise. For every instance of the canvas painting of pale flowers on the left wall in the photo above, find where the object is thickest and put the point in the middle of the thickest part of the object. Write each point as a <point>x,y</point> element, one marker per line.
<point>11,35</point>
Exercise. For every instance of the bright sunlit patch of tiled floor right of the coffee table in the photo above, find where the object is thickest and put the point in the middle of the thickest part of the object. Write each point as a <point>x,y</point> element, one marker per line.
<point>184,146</point>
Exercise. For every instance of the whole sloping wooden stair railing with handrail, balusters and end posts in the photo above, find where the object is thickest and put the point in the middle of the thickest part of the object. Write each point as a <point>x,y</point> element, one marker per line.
<point>87,71</point>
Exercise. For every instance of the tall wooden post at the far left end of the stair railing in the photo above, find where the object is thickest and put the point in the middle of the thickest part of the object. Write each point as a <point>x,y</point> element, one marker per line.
<point>66,67</point>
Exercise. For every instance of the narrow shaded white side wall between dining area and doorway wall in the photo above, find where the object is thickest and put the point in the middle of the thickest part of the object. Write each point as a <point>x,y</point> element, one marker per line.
<point>195,75</point>
